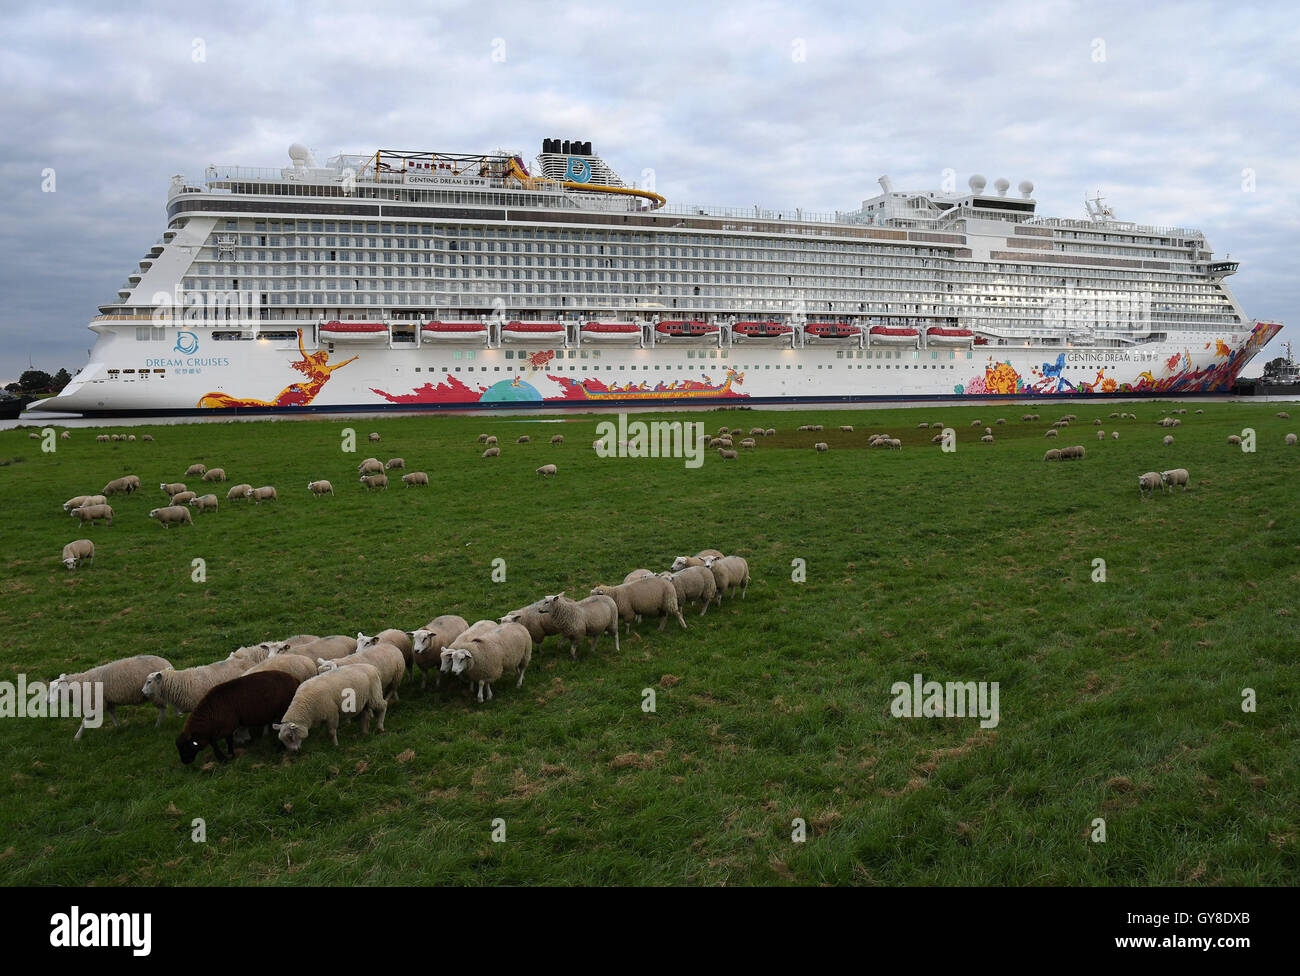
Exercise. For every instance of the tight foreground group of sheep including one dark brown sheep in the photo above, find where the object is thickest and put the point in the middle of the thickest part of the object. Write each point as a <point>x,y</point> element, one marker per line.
<point>307,682</point>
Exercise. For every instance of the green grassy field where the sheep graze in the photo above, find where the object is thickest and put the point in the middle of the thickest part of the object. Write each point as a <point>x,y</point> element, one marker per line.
<point>1119,700</point>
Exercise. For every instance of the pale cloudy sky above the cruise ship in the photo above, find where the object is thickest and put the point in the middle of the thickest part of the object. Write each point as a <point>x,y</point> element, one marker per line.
<point>1181,114</point>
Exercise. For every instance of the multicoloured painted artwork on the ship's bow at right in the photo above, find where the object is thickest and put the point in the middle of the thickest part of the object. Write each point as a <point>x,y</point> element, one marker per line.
<point>1177,374</point>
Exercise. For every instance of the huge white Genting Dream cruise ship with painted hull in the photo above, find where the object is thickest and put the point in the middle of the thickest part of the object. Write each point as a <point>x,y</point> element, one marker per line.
<point>411,280</point>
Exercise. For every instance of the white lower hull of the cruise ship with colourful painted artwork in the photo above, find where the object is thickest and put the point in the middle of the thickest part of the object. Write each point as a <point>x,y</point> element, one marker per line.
<point>187,371</point>
